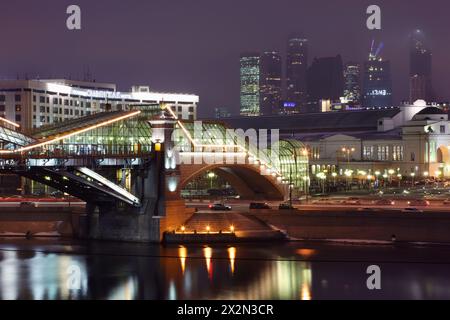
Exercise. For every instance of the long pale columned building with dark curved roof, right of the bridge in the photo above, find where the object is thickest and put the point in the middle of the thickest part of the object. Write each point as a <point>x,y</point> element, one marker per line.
<point>410,140</point>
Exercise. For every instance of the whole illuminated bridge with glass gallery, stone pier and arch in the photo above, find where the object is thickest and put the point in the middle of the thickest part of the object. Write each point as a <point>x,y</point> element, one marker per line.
<point>131,165</point>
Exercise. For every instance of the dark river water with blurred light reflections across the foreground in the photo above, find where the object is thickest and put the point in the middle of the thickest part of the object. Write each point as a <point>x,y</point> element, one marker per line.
<point>65,269</point>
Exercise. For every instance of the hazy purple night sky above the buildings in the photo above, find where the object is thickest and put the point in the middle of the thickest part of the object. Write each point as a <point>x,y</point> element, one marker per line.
<point>194,46</point>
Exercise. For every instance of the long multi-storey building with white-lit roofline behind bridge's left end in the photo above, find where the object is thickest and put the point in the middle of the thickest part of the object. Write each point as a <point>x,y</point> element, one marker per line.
<point>34,103</point>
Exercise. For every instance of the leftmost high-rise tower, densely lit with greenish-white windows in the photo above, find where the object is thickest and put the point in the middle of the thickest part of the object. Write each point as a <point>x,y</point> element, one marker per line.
<point>250,79</point>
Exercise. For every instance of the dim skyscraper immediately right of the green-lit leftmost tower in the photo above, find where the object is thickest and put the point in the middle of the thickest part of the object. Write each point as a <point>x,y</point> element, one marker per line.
<point>270,82</point>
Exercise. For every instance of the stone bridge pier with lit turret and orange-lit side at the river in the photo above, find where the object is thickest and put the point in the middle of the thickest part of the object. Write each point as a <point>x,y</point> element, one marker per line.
<point>155,183</point>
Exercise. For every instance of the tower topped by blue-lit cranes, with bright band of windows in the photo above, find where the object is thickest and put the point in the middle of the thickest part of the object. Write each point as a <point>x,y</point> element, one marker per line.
<point>377,90</point>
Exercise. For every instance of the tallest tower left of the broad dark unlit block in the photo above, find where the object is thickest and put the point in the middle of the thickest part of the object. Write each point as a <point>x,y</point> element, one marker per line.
<point>296,69</point>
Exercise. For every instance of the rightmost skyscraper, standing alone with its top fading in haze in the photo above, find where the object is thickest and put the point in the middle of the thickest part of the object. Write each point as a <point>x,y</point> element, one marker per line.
<point>420,56</point>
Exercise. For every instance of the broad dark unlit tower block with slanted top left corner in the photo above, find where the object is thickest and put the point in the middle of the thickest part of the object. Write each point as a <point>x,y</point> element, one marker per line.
<point>325,79</point>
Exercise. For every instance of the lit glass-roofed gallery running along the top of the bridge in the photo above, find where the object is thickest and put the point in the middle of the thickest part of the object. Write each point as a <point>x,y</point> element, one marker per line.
<point>127,139</point>
